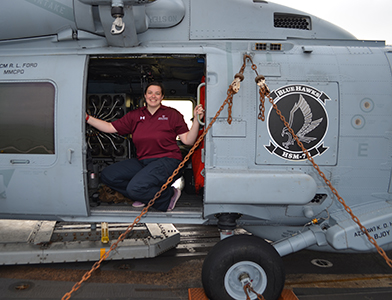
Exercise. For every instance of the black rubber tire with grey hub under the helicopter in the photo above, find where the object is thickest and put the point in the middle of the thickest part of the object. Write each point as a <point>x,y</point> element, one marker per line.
<point>238,254</point>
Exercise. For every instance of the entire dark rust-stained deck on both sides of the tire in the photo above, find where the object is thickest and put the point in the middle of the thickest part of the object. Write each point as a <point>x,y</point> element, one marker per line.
<point>170,275</point>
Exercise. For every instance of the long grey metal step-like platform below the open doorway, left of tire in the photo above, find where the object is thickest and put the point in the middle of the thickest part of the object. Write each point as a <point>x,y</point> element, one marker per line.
<point>38,242</point>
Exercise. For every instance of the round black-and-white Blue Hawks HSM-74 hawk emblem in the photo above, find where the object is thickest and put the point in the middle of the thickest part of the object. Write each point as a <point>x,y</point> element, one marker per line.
<point>304,109</point>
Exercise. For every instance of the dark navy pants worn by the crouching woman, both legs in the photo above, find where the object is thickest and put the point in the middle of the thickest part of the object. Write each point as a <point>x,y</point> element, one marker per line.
<point>141,180</point>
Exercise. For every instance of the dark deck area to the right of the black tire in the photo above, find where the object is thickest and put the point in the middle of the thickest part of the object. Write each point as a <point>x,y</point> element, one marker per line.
<point>316,275</point>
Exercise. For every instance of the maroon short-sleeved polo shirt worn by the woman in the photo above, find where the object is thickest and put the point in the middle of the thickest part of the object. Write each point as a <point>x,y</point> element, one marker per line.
<point>153,135</point>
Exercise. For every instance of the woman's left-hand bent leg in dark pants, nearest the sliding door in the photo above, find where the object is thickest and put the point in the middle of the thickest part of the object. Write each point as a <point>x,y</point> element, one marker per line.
<point>118,175</point>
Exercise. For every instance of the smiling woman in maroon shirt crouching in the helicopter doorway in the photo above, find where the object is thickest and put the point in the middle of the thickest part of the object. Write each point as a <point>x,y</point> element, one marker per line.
<point>154,130</point>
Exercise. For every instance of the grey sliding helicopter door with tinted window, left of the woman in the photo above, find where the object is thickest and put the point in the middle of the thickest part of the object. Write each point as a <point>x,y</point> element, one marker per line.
<point>41,136</point>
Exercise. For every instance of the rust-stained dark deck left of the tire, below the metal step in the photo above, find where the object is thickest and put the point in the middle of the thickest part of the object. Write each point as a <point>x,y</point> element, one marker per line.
<point>166,277</point>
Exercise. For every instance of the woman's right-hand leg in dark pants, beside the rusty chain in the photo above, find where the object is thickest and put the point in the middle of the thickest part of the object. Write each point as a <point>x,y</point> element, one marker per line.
<point>148,181</point>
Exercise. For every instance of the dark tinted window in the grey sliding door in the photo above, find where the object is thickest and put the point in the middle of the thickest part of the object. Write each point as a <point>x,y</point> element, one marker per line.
<point>27,118</point>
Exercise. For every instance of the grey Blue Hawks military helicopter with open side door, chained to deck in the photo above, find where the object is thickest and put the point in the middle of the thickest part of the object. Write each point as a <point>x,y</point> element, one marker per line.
<point>59,60</point>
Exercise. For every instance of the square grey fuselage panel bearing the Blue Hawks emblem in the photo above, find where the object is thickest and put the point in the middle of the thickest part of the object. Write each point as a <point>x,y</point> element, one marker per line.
<point>311,110</point>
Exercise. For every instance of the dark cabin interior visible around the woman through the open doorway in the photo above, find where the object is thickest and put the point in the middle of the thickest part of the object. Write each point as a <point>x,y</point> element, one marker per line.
<point>115,86</point>
